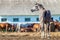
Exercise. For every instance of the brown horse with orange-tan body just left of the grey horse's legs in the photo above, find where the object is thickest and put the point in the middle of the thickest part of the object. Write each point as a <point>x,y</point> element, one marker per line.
<point>33,28</point>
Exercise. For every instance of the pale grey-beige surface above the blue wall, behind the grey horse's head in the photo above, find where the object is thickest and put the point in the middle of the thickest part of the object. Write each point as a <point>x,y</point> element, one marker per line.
<point>23,7</point>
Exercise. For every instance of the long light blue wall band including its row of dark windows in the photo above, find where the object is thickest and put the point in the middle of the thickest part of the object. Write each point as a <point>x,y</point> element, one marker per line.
<point>24,18</point>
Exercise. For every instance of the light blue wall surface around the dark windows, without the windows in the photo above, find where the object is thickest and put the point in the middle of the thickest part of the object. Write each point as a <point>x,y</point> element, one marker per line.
<point>22,18</point>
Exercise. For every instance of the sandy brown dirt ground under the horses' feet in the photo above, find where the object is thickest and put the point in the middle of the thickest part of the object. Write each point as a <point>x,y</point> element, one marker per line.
<point>27,36</point>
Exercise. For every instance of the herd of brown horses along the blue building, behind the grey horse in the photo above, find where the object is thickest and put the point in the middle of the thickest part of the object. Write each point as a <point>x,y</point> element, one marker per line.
<point>55,26</point>
